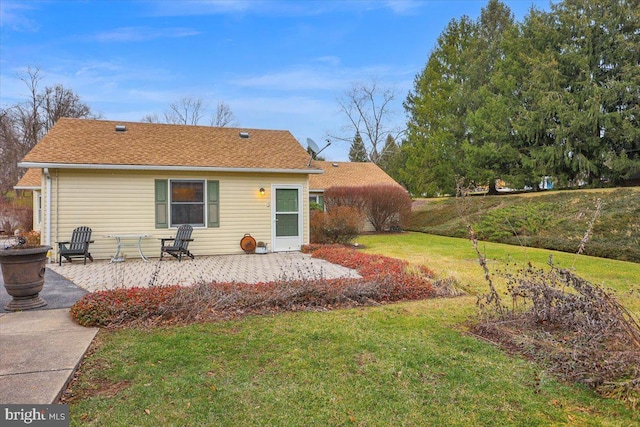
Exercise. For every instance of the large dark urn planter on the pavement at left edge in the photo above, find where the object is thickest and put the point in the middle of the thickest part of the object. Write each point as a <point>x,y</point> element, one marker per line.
<point>23,275</point>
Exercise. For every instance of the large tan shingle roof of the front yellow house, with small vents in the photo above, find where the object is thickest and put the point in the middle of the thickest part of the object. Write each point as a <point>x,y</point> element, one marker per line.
<point>74,143</point>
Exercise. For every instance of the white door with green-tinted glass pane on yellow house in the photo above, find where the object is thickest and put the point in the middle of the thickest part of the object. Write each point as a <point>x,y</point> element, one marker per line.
<point>287,217</point>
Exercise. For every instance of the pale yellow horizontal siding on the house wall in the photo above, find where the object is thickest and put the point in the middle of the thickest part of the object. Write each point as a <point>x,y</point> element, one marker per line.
<point>123,202</point>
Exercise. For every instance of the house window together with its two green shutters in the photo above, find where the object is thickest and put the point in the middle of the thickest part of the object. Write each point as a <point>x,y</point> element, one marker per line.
<point>193,202</point>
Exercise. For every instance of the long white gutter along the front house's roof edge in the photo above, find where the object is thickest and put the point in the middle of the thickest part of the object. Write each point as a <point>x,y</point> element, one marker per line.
<point>162,168</point>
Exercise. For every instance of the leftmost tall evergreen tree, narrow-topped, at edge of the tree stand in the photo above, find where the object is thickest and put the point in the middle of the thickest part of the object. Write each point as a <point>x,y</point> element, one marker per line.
<point>436,110</point>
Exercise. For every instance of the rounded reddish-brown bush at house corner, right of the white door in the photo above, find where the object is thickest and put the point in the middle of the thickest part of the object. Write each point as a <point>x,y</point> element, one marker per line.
<point>341,224</point>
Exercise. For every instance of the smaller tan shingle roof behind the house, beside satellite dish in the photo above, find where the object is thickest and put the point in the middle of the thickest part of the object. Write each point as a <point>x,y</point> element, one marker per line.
<point>348,174</point>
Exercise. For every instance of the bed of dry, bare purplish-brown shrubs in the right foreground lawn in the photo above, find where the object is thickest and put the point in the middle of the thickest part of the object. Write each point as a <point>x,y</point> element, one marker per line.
<point>576,328</point>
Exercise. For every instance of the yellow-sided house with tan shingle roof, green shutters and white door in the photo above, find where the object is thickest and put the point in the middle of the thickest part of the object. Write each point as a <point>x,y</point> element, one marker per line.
<point>148,179</point>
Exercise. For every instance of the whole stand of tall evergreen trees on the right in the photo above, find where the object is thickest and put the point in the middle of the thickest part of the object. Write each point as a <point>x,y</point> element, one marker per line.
<point>557,95</point>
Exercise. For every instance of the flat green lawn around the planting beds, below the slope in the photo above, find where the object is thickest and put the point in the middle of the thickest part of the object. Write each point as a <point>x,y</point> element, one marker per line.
<point>400,364</point>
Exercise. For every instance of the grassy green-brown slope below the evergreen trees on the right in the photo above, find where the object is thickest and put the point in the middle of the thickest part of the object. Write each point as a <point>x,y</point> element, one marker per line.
<point>552,220</point>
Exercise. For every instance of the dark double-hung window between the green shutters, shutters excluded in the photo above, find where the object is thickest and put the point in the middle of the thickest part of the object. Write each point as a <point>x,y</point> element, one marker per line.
<point>187,203</point>
